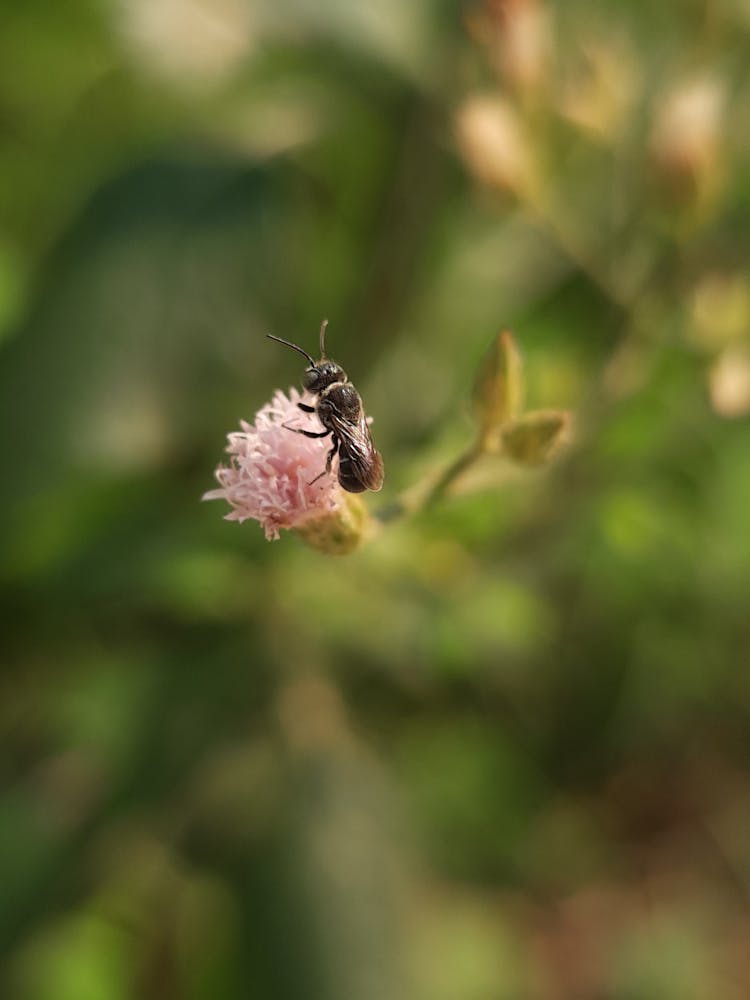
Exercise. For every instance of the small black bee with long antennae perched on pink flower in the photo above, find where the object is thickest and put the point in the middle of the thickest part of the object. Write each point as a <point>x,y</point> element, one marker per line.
<point>340,411</point>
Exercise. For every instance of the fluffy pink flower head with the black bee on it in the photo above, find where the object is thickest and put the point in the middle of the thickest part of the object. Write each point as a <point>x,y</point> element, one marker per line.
<point>270,471</point>
